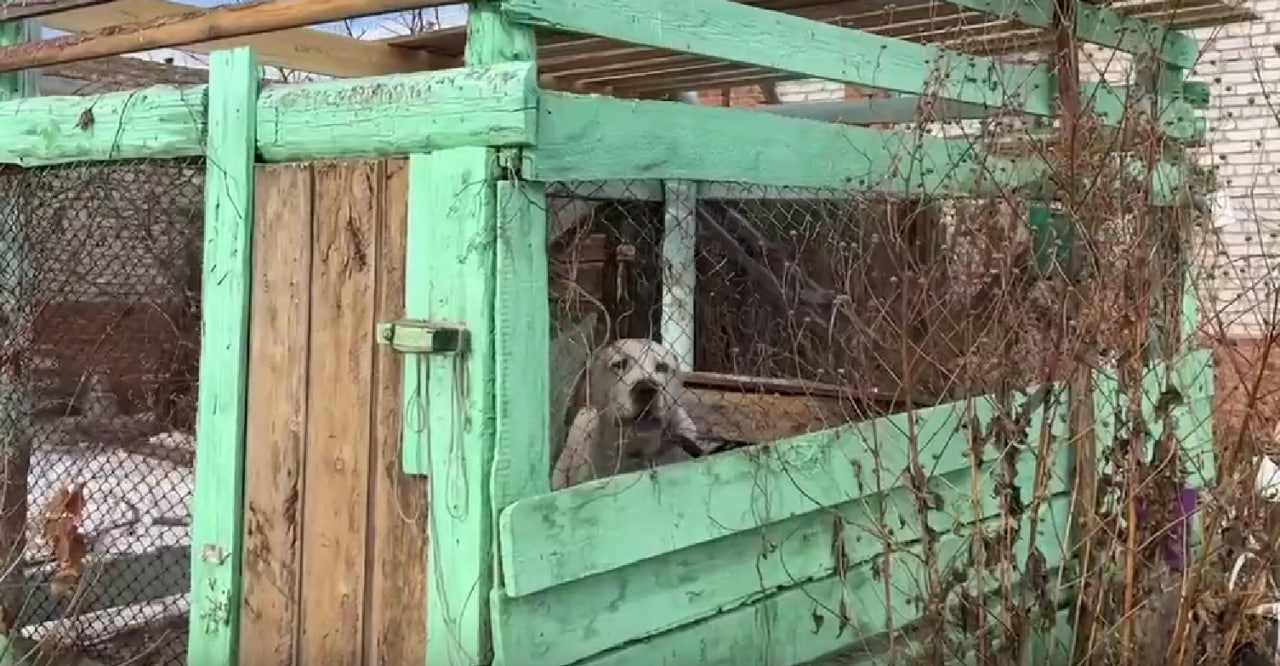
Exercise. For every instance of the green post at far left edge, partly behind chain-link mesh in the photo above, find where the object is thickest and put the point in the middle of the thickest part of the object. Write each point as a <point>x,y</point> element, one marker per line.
<point>16,403</point>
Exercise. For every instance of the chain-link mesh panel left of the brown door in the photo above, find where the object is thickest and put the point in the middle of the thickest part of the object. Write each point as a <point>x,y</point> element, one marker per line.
<point>100,307</point>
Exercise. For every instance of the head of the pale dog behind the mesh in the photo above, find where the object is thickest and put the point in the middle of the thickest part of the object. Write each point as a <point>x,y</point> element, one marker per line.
<point>636,381</point>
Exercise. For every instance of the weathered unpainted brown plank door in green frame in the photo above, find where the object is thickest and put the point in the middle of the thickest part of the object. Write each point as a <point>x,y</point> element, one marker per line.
<point>335,532</point>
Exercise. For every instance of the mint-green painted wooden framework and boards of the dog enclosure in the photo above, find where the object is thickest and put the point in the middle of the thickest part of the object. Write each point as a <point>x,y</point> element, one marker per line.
<point>760,556</point>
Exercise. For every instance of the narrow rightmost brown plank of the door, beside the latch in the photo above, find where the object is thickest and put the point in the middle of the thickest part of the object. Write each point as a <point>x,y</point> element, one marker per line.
<point>397,578</point>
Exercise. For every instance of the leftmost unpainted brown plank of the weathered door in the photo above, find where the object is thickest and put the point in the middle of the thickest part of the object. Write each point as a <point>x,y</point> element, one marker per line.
<point>276,439</point>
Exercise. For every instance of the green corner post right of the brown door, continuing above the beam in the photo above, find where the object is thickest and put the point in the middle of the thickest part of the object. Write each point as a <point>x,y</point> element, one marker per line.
<point>477,258</point>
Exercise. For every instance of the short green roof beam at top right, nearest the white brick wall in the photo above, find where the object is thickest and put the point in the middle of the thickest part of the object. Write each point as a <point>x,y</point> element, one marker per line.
<point>1099,25</point>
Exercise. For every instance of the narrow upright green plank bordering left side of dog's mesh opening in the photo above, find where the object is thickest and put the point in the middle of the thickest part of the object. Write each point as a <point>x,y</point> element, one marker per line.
<point>523,346</point>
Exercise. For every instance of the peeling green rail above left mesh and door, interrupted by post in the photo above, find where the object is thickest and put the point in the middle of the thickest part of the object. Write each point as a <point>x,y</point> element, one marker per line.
<point>396,115</point>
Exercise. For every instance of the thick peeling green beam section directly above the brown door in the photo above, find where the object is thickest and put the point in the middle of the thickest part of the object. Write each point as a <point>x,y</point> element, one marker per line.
<point>492,106</point>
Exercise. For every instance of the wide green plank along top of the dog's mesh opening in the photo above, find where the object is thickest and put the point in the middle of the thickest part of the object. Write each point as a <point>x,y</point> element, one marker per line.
<point>584,138</point>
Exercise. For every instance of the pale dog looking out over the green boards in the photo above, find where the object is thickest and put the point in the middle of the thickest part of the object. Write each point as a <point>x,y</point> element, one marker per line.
<point>633,419</point>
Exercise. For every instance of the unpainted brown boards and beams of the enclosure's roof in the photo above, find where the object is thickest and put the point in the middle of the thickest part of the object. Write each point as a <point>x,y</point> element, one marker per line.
<point>570,62</point>
